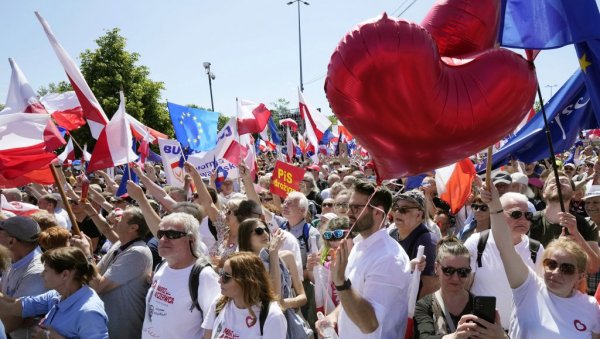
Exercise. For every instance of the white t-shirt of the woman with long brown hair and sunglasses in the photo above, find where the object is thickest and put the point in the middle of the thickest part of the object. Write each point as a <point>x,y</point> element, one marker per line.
<point>233,322</point>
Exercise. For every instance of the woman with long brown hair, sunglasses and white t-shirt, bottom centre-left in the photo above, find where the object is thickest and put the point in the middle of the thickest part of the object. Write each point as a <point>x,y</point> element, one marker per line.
<point>247,307</point>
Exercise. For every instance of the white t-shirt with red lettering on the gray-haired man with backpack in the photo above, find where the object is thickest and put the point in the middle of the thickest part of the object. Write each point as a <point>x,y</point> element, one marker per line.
<point>168,303</point>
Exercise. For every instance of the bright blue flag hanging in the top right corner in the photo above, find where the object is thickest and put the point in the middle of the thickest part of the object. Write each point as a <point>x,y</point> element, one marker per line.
<point>546,24</point>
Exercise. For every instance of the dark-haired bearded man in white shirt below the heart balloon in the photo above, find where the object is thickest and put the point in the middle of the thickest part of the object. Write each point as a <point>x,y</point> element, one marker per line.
<point>371,277</point>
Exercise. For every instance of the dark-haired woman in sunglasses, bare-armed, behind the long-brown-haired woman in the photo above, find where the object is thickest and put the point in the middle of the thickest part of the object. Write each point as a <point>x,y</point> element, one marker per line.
<point>254,236</point>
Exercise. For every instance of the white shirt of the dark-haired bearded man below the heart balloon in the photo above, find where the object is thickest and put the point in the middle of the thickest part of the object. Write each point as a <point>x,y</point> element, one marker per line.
<point>379,271</point>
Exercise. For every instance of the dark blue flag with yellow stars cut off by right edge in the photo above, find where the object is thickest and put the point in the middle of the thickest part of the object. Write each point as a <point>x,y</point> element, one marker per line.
<point>589,61</point>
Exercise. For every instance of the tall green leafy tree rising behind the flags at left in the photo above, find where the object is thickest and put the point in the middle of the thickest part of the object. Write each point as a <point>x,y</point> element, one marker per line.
<point>110,68</point>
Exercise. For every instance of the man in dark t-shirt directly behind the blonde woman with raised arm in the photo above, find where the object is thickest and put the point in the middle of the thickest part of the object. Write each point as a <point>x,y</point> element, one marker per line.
<point>551,223</point>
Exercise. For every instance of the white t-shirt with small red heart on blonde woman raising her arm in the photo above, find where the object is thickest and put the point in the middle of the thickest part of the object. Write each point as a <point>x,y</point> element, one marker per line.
<point>541,314</point>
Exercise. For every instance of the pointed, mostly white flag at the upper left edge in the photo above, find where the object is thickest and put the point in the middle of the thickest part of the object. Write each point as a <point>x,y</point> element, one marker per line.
<point>21,98</point>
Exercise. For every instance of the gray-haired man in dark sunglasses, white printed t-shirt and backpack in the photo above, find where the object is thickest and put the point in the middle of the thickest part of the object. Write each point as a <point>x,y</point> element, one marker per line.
<point>172,311</point>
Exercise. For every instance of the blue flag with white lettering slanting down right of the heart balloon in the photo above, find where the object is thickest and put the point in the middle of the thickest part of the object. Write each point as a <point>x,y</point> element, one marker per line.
<point>569,111</point>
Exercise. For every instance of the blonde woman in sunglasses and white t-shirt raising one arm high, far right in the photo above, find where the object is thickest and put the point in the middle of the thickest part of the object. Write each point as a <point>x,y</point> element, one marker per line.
<point>548,306</point>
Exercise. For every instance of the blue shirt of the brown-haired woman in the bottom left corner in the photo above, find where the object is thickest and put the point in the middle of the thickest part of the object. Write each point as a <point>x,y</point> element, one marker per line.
<point>81,315</point>
